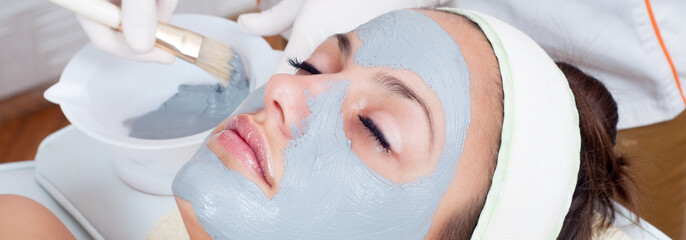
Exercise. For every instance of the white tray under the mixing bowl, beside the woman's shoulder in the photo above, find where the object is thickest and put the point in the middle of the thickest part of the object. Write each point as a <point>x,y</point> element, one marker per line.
<point>77,171</point>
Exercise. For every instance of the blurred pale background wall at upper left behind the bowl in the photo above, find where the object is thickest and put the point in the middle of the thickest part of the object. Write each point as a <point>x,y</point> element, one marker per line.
<point>37,38</point>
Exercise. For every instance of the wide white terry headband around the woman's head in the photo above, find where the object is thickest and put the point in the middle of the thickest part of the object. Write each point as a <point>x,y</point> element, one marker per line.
<point>538,162</point>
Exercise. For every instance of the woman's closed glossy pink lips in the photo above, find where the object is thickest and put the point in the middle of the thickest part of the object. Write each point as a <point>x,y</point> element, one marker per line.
<point>242,139</point>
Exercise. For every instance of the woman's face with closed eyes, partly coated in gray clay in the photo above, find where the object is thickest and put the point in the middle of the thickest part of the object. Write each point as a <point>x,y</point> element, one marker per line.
<point>358,136</point>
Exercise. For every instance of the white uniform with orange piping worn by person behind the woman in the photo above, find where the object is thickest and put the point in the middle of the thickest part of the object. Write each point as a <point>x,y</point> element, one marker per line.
<point>613,40</point>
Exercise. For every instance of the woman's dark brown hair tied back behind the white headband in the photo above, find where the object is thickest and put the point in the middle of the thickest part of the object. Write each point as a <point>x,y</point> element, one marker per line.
<point>603,174</point>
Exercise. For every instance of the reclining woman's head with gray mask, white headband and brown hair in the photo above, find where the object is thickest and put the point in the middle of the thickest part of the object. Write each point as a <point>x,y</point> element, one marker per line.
<point>407,128</point>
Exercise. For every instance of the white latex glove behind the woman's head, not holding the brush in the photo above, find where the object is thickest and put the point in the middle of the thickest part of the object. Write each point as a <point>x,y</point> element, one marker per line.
<point>312,21</point>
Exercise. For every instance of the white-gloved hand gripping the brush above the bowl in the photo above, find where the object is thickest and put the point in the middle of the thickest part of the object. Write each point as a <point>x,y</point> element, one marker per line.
<point>137,38</point>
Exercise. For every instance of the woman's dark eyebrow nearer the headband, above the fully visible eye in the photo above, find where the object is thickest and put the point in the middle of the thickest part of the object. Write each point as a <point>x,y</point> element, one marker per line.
<point>399,88</point>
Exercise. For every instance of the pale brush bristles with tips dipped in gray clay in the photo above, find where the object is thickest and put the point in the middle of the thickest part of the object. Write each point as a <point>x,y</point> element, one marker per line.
<point>215,58</point>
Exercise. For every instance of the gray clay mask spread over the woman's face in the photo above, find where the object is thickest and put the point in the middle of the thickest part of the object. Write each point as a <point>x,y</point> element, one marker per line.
<point>327,192</point>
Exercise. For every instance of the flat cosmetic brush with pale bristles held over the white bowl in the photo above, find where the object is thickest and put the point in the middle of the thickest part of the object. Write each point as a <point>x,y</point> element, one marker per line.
<point>211,55</point>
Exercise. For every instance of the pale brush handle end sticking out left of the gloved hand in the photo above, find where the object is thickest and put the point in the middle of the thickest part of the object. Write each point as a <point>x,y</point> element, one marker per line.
<point>100,11</point>
